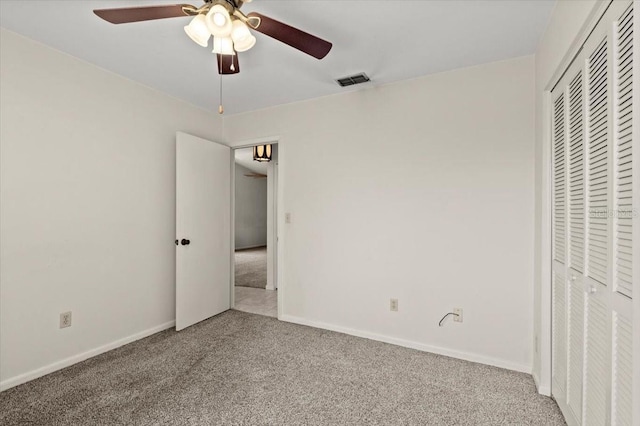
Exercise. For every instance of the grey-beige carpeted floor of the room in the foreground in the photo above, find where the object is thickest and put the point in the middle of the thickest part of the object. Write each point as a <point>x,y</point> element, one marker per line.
<point>244,369</point>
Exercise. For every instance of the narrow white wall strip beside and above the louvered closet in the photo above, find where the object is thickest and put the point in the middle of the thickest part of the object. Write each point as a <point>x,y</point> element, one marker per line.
<point>567,20</point>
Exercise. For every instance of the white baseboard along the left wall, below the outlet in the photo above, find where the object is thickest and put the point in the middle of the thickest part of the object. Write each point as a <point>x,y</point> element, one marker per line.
<point>59,365</point>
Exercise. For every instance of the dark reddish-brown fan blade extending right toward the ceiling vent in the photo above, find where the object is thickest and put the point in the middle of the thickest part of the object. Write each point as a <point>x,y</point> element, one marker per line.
<point>305,42</point>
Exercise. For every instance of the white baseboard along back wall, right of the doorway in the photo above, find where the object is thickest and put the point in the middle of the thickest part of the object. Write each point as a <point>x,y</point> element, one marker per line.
<point>467,356</point>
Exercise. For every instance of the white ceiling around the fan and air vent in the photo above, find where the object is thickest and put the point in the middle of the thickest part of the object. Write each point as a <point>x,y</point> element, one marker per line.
<point>390,40</point>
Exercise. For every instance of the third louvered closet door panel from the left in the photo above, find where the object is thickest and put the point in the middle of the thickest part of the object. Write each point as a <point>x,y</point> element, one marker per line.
<point>597,315</point>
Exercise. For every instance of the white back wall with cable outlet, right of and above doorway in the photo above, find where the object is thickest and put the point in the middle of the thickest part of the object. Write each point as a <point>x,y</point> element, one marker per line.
<point>421,190</point>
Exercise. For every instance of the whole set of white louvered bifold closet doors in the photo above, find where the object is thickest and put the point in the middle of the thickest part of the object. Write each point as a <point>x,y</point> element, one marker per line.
<point>595,172</point>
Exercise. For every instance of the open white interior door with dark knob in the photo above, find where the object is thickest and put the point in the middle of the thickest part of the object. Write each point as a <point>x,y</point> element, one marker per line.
<point>203,229</point>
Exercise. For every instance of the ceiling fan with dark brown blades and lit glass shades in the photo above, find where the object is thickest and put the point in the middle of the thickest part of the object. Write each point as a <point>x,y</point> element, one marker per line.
<point>228,25</point>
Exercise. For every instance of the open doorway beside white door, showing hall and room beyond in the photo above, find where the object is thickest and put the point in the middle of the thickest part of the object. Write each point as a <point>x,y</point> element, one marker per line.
<point>254,232</point>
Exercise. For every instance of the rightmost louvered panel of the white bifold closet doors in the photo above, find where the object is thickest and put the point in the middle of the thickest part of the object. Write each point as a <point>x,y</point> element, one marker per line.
<point>622,361</point>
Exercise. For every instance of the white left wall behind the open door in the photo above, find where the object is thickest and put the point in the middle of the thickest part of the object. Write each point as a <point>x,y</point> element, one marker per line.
<point>87,206</point>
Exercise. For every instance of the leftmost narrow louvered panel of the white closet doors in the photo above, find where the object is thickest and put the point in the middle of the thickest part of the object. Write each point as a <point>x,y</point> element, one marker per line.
<point>559,246</point>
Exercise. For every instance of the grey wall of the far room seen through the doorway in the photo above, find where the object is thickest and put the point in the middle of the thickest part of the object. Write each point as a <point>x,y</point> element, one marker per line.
<point>251,210</point>
